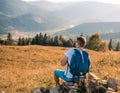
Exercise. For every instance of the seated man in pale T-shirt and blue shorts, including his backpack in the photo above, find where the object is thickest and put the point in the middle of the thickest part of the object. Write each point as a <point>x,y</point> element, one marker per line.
<point>69,75</point>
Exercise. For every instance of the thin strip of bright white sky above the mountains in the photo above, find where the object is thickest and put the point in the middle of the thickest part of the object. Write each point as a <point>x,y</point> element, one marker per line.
<point>59,1</point>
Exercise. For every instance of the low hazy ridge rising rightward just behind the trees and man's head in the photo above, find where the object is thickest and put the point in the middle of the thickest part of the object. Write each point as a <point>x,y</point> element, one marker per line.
<point>107,29</point>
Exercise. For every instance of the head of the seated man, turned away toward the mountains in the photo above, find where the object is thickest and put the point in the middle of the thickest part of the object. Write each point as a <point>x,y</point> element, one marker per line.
<point>81,42</point>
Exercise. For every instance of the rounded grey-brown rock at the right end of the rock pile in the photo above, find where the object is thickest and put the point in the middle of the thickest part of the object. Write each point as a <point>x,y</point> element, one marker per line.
<point>113,83</point>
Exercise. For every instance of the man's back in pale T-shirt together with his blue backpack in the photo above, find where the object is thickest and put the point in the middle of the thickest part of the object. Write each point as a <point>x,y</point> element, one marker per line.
<point>77,62</point>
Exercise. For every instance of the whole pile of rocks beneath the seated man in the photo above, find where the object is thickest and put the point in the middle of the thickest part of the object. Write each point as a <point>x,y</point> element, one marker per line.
<point>93,85</point>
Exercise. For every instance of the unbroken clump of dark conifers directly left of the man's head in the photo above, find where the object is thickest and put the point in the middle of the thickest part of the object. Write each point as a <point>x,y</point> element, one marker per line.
<point>46,40</point>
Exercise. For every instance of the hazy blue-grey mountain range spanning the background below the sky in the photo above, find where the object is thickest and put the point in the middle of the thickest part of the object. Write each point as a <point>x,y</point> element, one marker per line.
<point>44,16</point>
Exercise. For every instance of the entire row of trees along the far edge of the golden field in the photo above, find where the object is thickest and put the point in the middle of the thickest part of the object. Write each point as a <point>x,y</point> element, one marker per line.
<point>94,42</point>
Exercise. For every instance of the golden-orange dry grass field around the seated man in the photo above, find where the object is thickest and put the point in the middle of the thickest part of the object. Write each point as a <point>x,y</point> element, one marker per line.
<point>23,68</point>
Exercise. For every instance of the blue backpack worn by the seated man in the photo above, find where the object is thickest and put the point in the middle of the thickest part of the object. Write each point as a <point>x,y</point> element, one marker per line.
<point>80,63</point>
